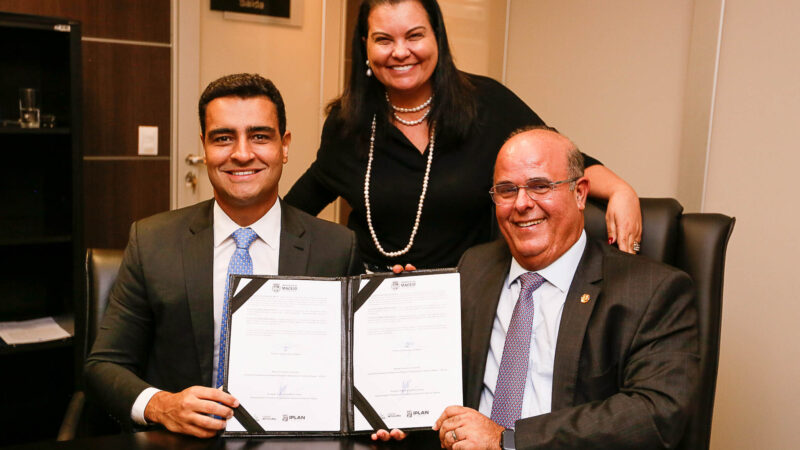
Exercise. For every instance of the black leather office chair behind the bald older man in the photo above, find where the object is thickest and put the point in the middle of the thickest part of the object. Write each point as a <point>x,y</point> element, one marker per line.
<point>696,244</point>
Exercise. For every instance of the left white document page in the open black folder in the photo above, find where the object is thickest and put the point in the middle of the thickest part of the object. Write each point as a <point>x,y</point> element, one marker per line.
<point>285,356</point>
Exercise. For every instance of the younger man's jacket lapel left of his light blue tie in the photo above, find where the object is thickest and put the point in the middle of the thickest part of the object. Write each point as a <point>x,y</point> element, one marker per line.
<point>198,263</point>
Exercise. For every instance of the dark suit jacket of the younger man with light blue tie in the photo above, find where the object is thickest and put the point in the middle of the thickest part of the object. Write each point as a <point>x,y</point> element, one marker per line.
<point>158,328</point>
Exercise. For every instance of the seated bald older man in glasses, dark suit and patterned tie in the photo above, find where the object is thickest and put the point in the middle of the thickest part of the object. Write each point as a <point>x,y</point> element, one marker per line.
<point>567,343</point>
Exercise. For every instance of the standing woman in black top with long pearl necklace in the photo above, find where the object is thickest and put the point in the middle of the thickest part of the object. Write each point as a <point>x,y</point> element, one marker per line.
<point>411,145</point>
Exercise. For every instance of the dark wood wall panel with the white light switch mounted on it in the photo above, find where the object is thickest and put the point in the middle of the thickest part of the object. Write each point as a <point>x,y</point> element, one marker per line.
<point>124,86</point>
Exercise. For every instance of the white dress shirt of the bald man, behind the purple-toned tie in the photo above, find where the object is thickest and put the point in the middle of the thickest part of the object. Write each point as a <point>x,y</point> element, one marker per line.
<point>548,304</point>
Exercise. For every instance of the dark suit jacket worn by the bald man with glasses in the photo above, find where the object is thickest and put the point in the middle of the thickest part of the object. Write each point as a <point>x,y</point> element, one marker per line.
<point>626,359</point>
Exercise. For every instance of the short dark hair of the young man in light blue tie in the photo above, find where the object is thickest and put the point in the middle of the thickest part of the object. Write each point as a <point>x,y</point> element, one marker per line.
<point>244,85</point>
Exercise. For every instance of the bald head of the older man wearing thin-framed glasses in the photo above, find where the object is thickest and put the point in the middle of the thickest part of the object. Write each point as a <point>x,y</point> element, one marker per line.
<point>539,228</point>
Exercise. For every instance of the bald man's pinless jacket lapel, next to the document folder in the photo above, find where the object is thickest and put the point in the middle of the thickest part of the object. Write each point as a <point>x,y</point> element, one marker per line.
<point>482,294</point>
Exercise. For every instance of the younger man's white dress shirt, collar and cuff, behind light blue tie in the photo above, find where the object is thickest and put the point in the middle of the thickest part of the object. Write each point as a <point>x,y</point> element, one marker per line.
<point>264,252</point>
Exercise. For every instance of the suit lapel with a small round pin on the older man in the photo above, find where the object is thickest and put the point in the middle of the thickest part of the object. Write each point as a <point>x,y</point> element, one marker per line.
<point>574,321</point>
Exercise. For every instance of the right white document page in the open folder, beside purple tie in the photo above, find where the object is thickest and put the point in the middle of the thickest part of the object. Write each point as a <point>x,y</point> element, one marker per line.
<point>407,350</point>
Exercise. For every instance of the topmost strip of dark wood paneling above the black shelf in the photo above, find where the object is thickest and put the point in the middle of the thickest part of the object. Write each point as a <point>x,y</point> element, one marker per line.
<point>138,20</point>
